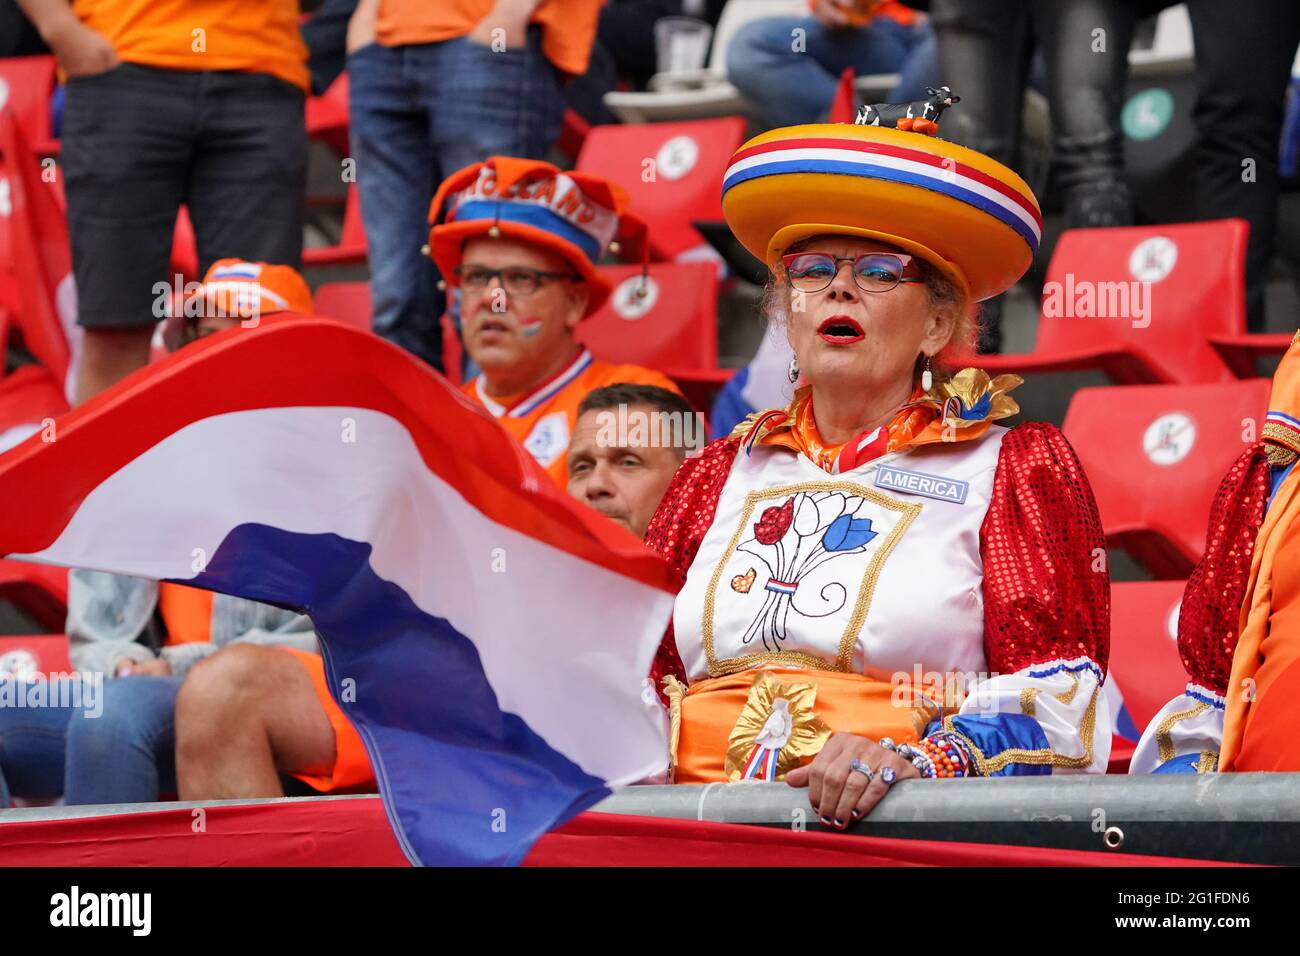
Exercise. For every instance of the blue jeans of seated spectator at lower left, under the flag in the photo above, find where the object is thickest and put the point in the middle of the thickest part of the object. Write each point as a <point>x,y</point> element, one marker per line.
<point>124,755</point>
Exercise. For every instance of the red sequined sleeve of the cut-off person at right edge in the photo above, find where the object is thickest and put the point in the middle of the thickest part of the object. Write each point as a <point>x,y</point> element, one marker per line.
<point>1212,603</point>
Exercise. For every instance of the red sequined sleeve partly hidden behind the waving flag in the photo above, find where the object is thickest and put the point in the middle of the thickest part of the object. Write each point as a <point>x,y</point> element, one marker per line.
<point>679,526</point>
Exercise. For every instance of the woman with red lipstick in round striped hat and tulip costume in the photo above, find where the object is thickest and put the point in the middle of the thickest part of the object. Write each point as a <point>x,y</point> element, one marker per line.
<point>879,582</point>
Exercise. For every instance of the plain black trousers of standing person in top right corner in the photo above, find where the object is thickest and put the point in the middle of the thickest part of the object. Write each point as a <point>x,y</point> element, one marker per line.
<point>1243,62</point>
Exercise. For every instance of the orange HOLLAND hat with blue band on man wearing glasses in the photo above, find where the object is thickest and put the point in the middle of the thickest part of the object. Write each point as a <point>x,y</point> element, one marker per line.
<point>574,215</point>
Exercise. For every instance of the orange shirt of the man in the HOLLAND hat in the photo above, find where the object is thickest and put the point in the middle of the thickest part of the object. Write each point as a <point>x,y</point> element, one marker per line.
<point>543,421</point>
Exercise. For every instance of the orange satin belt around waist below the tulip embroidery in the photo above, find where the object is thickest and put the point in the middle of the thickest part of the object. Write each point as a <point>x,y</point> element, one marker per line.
<point>847,703</point>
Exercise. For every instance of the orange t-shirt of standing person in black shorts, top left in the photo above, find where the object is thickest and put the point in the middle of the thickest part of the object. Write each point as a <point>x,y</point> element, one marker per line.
<point>250,36</point>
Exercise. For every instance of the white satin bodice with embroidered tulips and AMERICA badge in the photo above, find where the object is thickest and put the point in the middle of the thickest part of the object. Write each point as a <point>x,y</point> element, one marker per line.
<point>847,572</point>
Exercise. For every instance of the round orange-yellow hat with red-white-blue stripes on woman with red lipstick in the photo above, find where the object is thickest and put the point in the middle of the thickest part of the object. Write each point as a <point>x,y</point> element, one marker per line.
<point>961,211</point>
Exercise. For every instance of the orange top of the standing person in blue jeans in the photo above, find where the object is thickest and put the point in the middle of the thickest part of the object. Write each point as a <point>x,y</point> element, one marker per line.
<point>569,27</point>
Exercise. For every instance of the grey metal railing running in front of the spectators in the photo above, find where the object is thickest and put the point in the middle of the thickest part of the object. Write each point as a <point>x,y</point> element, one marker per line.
<point>1232,817</point>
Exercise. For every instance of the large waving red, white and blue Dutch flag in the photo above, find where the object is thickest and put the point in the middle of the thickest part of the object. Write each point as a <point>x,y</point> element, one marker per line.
<point>496,635</point>
